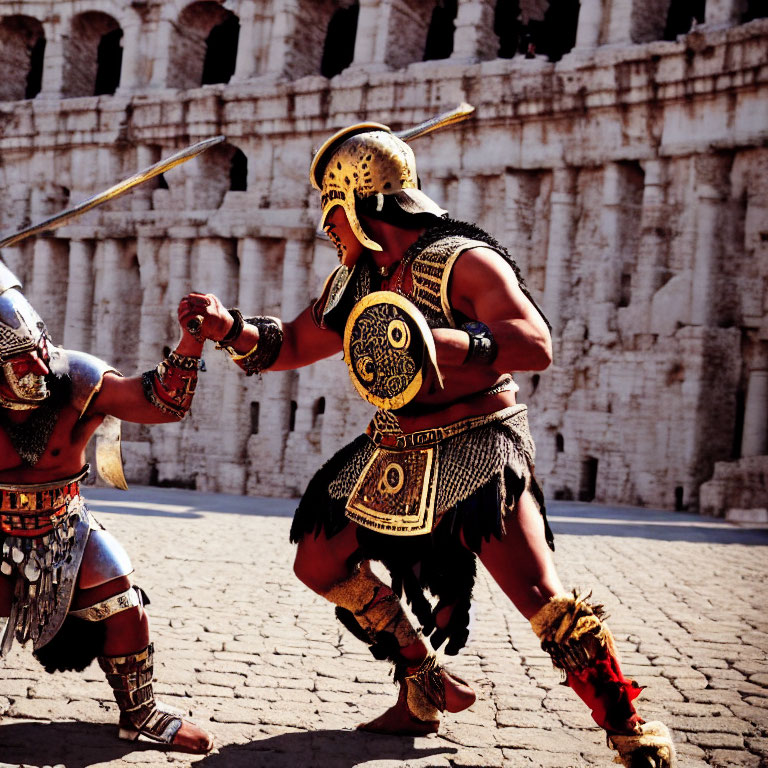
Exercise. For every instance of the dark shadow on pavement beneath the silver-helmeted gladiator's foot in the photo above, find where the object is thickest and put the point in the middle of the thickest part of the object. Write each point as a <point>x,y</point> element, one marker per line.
<point>75,744</point>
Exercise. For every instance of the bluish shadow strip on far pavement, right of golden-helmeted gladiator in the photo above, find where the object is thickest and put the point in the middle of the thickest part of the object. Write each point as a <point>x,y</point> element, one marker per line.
<point>582,519</point>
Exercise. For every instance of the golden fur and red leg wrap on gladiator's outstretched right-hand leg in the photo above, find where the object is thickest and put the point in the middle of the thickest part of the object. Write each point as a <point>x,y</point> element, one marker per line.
<point>573,633</point>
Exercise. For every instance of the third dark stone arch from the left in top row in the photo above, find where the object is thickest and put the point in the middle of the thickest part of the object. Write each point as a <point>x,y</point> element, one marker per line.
<point>204,46</point>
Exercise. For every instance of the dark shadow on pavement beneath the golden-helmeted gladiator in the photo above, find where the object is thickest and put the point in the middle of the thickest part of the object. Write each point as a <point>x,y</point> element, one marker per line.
<point>330,749</point>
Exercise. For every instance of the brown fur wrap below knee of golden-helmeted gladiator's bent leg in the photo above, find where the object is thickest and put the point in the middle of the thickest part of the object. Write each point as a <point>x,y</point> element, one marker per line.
<point>375,607</point>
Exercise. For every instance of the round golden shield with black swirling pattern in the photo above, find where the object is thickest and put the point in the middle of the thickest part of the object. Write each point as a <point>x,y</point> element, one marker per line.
<point>388,347</point>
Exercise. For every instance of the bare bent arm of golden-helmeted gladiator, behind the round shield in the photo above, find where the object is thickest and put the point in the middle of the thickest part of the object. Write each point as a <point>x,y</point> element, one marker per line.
<point>484,288</point>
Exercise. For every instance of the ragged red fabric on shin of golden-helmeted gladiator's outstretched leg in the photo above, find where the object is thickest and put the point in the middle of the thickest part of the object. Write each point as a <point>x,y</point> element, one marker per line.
<point>607,693</point>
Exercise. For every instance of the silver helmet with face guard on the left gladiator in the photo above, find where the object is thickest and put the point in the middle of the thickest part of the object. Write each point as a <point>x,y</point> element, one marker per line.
<point>21,331</point>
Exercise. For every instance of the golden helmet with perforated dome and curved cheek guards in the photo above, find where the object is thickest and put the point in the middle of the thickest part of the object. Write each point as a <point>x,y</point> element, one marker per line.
<point>364,160</point>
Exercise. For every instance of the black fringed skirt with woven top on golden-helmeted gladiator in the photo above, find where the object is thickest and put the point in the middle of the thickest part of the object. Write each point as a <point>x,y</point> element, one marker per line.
<point>484,472</point>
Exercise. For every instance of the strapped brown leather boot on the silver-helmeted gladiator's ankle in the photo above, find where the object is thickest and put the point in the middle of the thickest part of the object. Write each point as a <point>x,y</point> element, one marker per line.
<point>130,678</point>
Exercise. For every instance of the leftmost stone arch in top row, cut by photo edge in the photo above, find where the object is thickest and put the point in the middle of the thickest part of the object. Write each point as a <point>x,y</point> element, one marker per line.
<point>22,46</point>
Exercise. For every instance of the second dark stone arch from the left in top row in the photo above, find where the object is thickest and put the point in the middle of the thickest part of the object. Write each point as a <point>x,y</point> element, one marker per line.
<point>93,55</point>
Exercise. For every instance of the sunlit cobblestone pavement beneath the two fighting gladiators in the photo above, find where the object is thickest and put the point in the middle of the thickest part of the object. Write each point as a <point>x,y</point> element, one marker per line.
<point>250,653</point>
